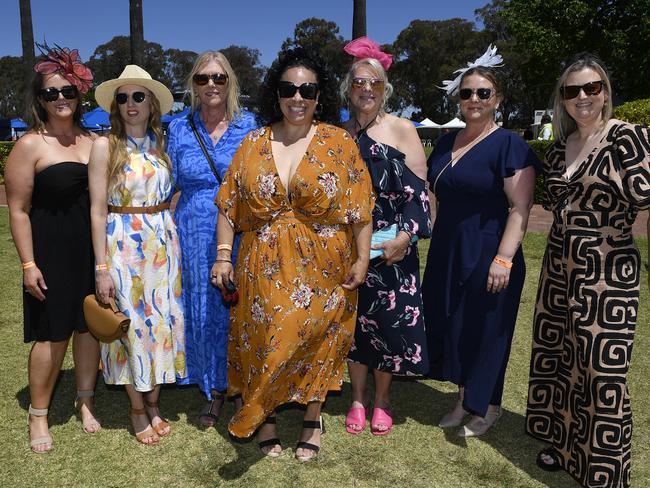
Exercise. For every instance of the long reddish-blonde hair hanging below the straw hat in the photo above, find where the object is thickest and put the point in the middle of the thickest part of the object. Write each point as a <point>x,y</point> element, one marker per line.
<point>117,153</point>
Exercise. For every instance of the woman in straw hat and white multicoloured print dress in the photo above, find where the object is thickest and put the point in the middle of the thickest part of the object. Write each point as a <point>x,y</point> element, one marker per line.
<point>136,246</point>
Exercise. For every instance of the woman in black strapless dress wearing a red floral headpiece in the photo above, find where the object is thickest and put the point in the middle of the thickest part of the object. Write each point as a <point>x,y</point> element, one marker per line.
<point>47,193</point>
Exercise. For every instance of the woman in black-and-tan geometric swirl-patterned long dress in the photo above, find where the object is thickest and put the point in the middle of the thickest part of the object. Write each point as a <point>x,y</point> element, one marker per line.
<point>597,176</point>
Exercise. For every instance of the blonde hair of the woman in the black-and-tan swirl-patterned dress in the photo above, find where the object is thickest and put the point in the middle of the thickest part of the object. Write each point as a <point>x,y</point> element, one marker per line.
<point>563,123</point>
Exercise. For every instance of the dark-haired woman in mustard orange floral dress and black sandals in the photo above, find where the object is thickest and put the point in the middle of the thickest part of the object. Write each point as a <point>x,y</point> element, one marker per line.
<point>300,194</point>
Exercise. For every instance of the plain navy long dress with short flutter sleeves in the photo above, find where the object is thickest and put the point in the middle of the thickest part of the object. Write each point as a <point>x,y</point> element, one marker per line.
<point>469,330</point>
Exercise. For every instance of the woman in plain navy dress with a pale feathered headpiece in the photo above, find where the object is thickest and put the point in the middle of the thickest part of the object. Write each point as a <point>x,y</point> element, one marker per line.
<point>483,179</point>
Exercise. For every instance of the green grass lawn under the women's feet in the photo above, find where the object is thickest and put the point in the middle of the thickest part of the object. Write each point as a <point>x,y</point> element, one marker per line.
<point>416,454</point>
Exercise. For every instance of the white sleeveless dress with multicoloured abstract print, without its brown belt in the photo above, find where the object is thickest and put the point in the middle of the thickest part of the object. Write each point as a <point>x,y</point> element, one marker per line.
<point>143,257</point>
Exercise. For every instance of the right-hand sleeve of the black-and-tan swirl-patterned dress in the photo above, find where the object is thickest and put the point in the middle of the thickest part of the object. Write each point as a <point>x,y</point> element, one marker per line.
<point>631,158</point>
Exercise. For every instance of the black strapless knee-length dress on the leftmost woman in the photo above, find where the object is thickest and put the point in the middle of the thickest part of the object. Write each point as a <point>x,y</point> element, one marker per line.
<point>60,218</point>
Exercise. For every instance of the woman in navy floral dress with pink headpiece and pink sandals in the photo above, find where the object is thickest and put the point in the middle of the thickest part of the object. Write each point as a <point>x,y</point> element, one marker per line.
<point>389,337</point>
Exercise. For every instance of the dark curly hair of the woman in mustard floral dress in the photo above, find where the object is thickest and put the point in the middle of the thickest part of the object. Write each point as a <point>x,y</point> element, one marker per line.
<point>328,99</point>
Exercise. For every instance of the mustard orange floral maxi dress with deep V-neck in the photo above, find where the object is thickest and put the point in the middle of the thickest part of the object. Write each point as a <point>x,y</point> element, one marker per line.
<point>294,323</point>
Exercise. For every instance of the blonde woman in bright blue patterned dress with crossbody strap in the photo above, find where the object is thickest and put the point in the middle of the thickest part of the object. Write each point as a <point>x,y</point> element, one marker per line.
<point>221,125</point>
